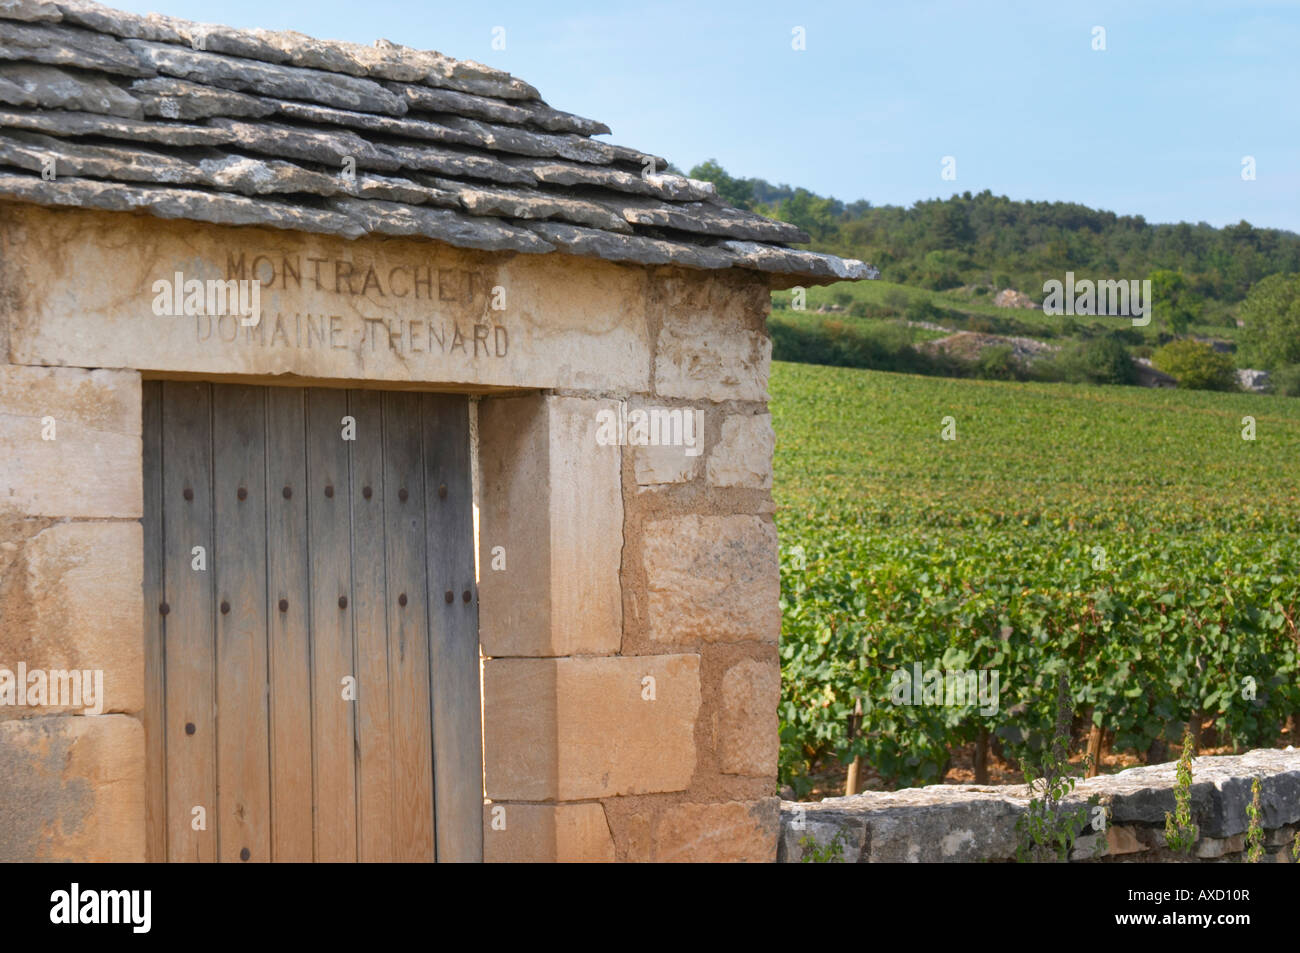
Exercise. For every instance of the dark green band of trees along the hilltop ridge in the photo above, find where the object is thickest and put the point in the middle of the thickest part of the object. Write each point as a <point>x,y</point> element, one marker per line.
<point>1025,244</point>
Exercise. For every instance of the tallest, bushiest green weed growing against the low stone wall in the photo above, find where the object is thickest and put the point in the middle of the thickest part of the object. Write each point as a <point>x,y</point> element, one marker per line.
<point>1046,826</point>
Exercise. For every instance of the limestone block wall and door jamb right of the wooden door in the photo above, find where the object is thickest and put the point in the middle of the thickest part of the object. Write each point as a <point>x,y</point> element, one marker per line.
<point>632,678</point>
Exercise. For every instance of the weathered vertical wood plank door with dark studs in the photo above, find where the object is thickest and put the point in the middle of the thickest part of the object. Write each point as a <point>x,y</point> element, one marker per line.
<point>311,692</point>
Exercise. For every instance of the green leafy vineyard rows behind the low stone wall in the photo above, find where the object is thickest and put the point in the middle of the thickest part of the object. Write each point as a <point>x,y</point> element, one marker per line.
<point>1130,539</point>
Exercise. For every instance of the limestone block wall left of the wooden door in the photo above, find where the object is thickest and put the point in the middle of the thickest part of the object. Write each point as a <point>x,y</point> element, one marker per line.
<point>72,785</point>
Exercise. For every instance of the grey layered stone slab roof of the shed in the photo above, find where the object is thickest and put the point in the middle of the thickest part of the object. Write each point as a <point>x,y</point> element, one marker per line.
<point>211,124</point>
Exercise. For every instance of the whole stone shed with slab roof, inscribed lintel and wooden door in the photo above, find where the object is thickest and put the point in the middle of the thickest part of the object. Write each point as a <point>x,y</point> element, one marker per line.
<point>385,463</point>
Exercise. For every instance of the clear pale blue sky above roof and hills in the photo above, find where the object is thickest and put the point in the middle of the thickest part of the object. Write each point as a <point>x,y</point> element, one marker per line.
<point>1156,125</point>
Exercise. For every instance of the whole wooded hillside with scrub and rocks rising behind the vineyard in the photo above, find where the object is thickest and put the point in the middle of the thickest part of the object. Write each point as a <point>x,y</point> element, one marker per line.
<point>946,262</point>
